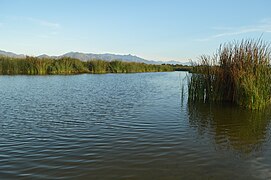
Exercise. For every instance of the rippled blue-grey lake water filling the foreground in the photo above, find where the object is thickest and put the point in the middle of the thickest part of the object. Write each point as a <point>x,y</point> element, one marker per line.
<point>125,126</point>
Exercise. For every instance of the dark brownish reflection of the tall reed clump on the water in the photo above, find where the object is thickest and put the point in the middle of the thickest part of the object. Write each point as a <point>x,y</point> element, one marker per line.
<point>230,127</point>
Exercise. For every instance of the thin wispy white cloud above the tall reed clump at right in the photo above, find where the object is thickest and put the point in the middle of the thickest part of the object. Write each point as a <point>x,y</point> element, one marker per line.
<point>264,26</point>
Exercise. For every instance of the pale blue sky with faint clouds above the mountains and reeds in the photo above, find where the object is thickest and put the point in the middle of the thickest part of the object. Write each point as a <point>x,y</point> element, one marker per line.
<point>152,29</point>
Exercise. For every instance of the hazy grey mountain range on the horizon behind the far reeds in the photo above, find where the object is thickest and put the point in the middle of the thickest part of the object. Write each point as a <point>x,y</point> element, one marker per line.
<point>91,56</point>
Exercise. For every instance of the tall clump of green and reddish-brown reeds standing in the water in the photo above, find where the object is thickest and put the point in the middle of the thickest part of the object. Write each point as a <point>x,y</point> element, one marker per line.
<point>238,73</point>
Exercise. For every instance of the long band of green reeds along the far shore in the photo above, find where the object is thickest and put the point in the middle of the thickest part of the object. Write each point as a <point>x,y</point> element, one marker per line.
<point>66,65</point>
